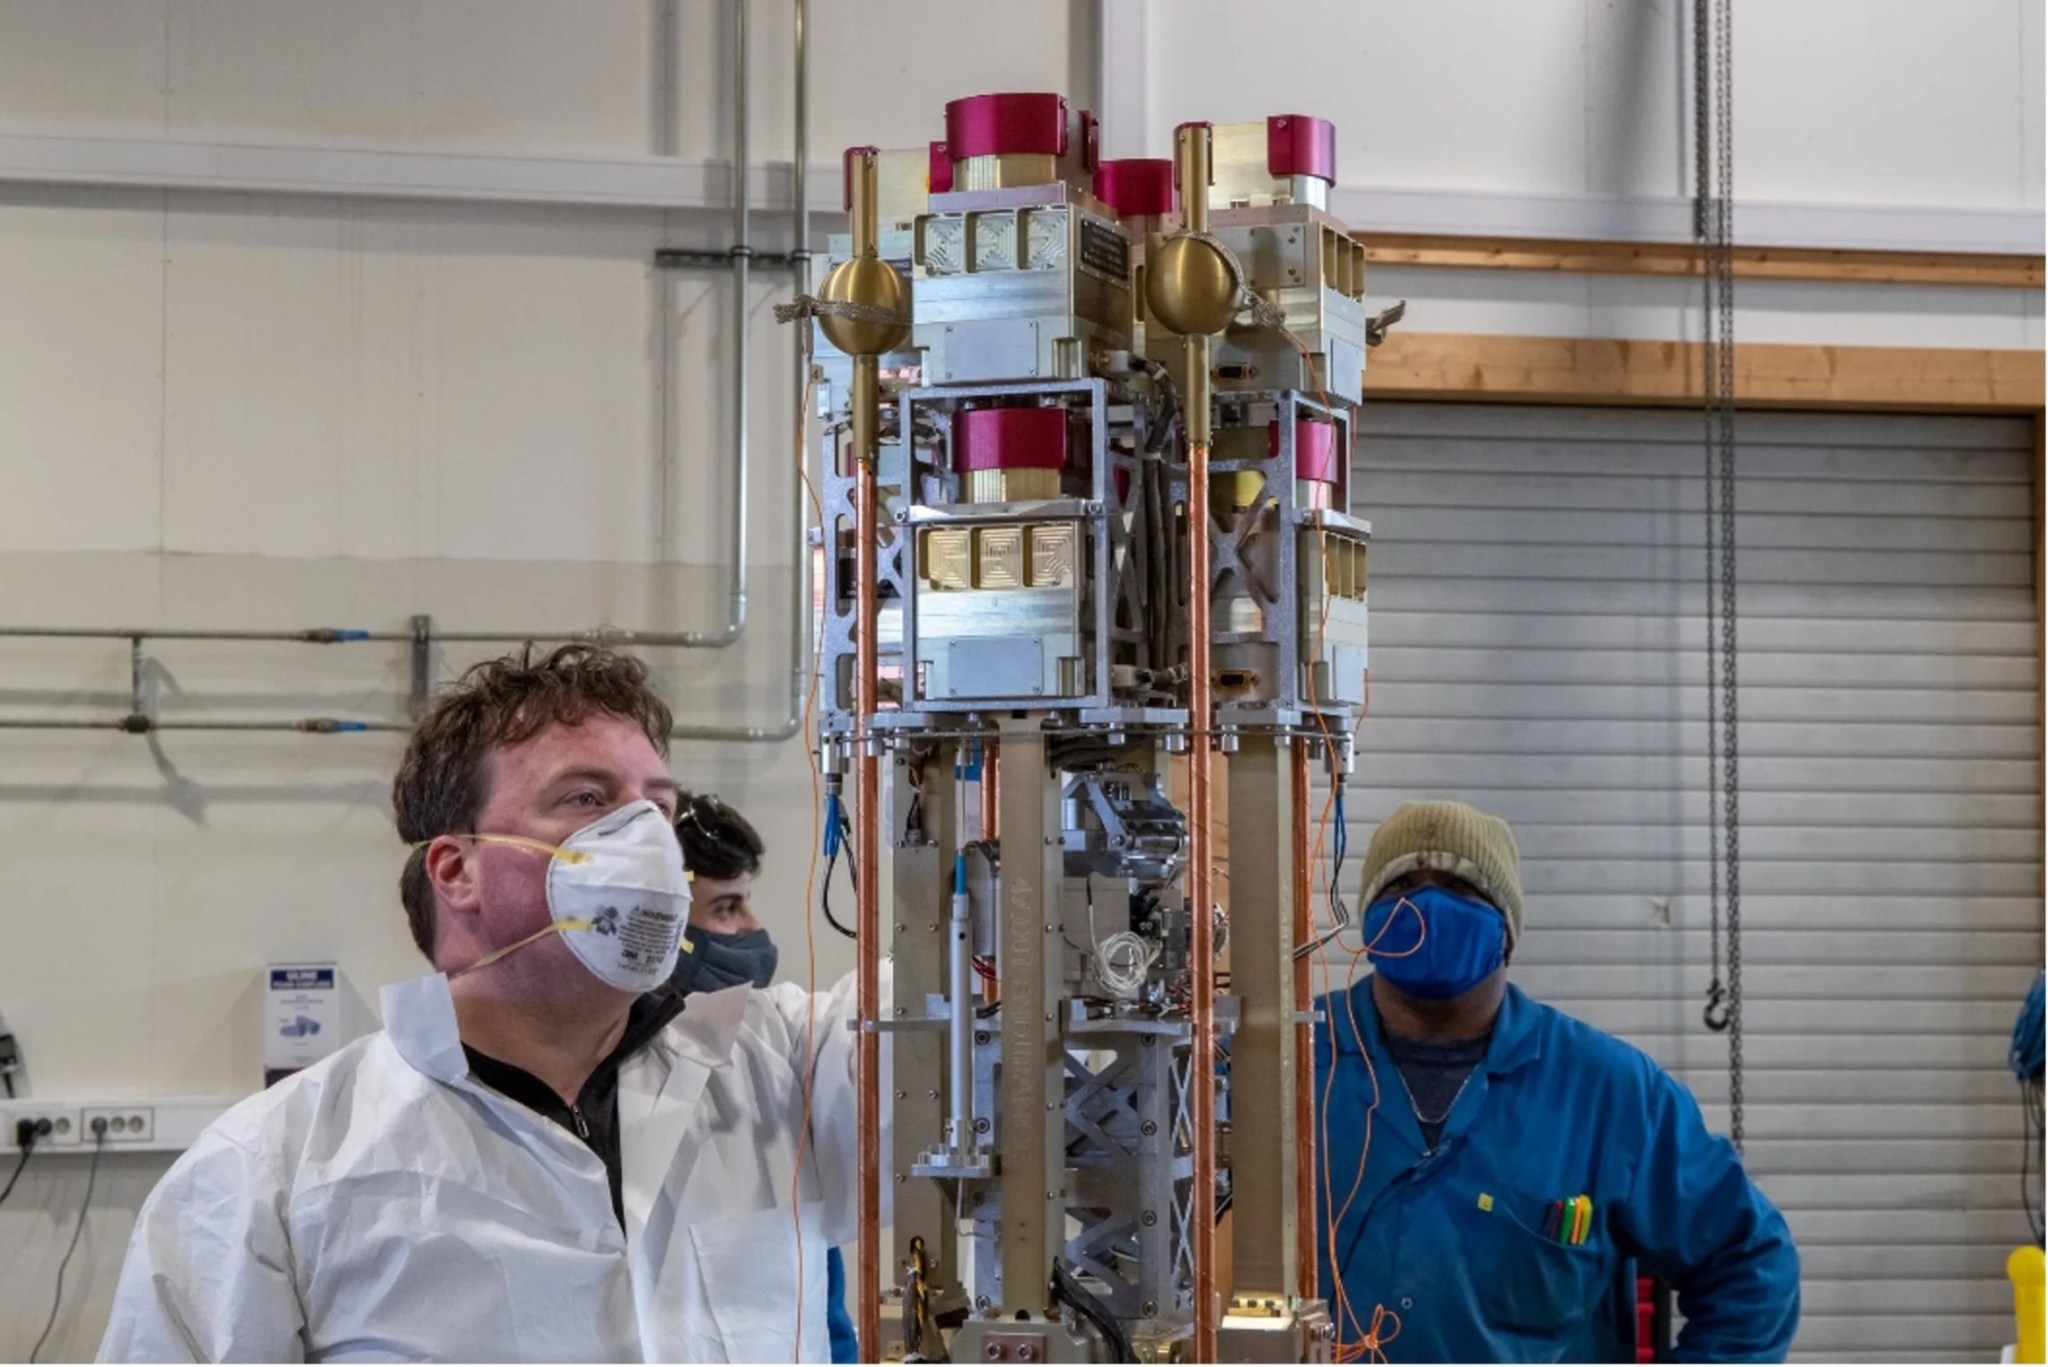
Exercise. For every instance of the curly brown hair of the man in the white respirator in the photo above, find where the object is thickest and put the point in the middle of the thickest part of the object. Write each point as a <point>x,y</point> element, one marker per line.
<point>441,784</point>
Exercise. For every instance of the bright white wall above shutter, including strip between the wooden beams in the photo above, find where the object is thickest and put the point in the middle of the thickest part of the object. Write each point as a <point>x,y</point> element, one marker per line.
<point>1897,122</point>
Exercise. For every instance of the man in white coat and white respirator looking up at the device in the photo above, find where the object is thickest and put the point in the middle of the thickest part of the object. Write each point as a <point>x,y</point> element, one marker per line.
<point>542,1157</point>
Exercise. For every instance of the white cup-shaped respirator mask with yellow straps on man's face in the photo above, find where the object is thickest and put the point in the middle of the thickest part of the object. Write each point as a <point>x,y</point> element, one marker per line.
<point>617,897</point>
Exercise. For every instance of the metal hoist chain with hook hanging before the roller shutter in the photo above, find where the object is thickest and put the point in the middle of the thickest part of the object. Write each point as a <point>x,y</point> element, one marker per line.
<point>1715,233</point>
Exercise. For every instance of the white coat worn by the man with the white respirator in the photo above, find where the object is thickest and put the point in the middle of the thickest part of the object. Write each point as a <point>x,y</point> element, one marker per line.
<point>384,1206</point>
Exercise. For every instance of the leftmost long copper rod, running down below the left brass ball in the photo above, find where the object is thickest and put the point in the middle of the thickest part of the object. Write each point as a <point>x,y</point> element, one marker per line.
<point>867,850</point>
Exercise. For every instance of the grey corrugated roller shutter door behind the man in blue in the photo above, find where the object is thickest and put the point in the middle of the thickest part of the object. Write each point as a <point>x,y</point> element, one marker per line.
<point>1539,649</point>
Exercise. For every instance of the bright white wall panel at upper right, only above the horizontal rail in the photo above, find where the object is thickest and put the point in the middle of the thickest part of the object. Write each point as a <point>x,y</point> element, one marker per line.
<point>1836,101</point>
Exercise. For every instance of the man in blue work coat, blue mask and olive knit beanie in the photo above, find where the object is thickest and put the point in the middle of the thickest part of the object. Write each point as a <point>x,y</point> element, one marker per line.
<point>1494,1165</point>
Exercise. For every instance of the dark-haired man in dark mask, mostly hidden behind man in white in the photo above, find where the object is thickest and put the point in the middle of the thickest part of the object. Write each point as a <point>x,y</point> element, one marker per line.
<point>730,950</point>
